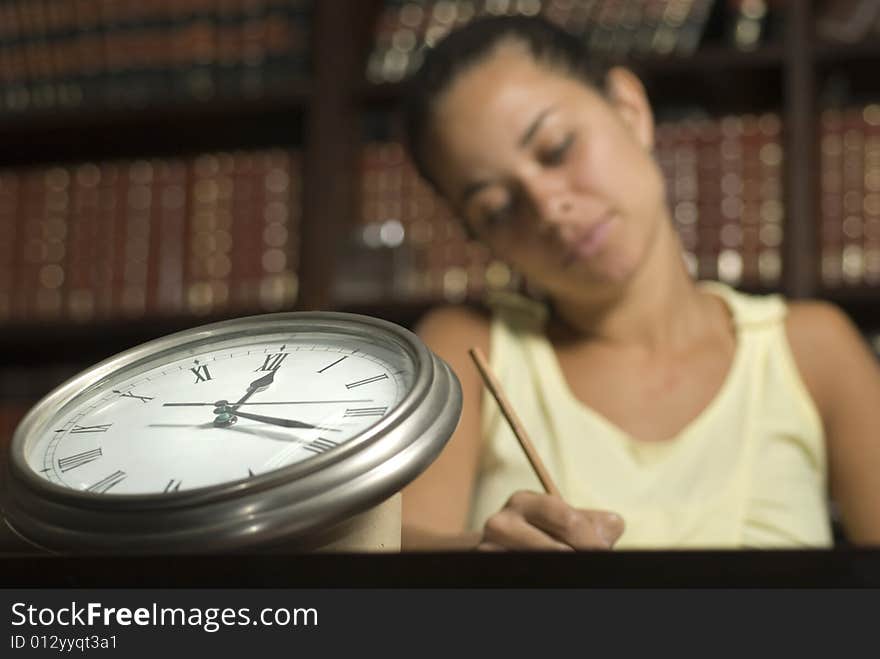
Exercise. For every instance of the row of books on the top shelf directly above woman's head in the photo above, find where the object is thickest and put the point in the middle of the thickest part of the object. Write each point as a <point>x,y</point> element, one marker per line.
<point>612,27</point>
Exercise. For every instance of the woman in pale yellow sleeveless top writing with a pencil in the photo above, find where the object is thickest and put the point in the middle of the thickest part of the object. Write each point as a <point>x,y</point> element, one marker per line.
<point>670,413</point>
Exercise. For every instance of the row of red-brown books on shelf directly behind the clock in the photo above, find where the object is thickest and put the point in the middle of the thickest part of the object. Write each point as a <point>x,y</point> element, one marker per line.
<point>213,233</point>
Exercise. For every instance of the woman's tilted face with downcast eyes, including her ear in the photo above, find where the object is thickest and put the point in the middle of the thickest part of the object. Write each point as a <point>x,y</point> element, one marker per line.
<point>557,179</point>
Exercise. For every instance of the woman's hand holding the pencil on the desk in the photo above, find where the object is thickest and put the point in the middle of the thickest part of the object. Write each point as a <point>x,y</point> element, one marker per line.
<point>541,522</point>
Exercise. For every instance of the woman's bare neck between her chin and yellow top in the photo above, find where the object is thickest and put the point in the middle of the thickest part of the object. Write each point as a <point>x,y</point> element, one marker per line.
<point>658,308</point>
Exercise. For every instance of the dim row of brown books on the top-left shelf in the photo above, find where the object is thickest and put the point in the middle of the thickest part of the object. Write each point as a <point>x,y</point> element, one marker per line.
<point>122,53</point>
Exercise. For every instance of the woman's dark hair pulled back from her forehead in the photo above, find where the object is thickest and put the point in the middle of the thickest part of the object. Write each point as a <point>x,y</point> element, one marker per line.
<point>471,44</point>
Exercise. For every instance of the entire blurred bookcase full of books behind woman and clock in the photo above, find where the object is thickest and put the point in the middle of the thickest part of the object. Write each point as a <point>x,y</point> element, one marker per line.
<point>166,163</point>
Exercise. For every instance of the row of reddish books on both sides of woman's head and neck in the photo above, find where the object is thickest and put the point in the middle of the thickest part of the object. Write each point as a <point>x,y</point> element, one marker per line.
<point>725,192</point>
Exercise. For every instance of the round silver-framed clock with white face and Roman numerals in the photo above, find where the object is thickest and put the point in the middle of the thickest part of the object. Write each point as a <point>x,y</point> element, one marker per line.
<point>266,432</point>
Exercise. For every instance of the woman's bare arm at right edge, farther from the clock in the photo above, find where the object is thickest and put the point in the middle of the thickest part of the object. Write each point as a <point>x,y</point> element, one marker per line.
<point>843,376</point>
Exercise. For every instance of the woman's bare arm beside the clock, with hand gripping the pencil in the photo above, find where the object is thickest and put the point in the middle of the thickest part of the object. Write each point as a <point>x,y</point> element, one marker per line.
<point>436,504</point>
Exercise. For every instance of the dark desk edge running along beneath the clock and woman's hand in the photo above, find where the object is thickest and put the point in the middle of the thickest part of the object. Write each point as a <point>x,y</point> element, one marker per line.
<point>692,569</point>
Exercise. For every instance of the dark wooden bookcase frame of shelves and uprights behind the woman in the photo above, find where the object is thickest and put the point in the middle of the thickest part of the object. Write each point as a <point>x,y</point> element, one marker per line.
<point>319,111</point>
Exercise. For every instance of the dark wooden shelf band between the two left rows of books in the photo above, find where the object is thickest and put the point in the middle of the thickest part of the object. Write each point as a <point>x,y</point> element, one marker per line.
<point>166,129</point>
